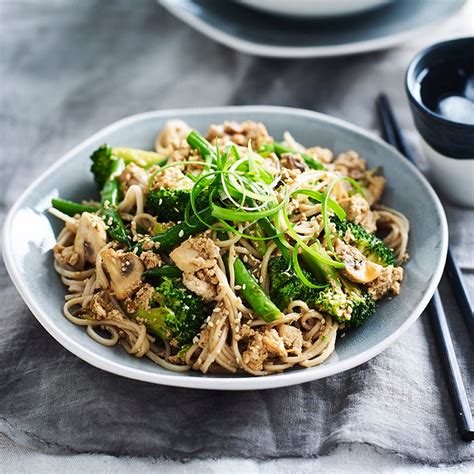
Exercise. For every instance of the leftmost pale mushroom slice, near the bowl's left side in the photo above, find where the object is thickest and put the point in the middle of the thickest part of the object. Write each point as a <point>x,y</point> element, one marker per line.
<point>90,237</point>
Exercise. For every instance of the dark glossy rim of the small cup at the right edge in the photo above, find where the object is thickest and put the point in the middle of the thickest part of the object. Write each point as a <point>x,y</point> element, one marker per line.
<point>409,75</point>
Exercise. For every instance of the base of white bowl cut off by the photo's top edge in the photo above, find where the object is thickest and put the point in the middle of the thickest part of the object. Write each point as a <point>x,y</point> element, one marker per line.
<point>314,8</point>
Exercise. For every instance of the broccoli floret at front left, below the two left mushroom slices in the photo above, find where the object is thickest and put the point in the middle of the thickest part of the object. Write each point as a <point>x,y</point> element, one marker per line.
<point>177,314</point>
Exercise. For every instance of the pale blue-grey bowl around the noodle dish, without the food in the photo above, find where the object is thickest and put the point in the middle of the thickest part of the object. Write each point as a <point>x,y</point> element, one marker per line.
<point>29,253</point>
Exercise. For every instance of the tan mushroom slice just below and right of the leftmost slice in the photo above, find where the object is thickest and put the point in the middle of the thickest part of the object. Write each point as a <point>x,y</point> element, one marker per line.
<point>125,271</point>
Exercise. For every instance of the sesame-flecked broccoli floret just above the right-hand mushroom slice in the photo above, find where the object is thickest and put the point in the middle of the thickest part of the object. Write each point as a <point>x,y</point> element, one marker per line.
<point>369,244</point>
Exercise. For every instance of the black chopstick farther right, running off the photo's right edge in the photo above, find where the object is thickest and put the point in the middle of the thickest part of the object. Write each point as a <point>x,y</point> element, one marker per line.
<point>393,135</point>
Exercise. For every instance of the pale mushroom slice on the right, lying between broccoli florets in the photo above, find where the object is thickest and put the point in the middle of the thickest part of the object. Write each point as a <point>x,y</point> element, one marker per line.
<point>356,267</point>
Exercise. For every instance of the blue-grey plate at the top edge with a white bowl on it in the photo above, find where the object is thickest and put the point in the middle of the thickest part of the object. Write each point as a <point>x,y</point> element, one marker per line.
<point>310,28</point>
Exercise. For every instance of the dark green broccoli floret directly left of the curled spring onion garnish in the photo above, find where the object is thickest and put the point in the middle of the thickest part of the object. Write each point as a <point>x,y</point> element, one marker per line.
<point>170,204</point>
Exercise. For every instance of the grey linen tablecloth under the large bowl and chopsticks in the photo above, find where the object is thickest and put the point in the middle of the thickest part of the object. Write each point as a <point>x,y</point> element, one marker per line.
<point>68,69</point>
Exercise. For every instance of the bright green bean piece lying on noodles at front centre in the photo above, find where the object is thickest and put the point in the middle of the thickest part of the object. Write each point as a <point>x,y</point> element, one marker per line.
<point>253,294</point>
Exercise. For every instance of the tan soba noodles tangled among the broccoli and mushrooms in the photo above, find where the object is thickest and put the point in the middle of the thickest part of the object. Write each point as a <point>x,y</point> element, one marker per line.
<point>223,340</point>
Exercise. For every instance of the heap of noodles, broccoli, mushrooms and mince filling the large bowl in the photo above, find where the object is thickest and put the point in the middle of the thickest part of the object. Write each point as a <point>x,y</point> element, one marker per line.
<point>229,253</point>
